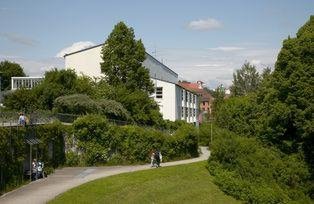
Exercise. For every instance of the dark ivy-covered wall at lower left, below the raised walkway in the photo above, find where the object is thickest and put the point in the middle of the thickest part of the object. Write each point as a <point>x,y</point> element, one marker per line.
<point>15,151</point>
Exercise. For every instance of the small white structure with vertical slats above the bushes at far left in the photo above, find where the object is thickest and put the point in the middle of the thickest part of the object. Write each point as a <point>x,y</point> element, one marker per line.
<point>24,82</point>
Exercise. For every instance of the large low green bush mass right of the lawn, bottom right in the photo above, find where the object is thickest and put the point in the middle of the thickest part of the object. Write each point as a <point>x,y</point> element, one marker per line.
<point>244,168</point>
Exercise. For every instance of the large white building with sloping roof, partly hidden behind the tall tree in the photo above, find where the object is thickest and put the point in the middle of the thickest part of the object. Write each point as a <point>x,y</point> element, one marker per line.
<point>175,102</point>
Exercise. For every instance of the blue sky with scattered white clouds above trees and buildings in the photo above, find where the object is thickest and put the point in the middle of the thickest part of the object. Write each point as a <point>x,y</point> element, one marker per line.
<point>199,40</point>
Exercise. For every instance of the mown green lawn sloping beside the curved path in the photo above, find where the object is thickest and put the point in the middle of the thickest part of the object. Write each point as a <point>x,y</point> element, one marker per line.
<point>179,184</point>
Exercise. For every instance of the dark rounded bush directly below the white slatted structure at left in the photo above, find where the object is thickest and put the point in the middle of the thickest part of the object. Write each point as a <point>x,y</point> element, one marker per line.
<point>22,100</point>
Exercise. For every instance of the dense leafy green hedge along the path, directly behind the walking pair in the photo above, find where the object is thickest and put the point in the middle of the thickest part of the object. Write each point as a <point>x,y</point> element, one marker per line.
<point>100,142</point>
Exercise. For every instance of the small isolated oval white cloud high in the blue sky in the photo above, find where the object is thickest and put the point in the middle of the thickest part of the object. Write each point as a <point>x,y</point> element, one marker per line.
<point>207,24</point>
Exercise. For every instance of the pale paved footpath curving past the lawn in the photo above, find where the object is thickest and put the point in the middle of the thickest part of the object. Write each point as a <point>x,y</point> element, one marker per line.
<point>43,190</point>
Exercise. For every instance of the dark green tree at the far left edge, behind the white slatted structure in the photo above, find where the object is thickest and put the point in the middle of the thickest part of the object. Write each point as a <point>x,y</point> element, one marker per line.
<point>8,70</point>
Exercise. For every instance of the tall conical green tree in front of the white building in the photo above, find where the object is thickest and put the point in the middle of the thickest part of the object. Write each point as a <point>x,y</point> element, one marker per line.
<point>122,60</point>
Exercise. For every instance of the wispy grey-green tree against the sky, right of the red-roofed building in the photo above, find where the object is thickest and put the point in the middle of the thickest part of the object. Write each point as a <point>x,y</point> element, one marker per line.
<point>245,80</point>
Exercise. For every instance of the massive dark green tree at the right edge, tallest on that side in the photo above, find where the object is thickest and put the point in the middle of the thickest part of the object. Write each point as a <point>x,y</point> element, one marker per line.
<point>287,108</point>
